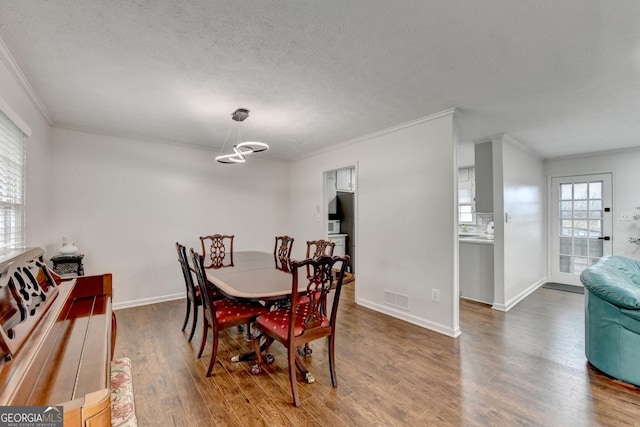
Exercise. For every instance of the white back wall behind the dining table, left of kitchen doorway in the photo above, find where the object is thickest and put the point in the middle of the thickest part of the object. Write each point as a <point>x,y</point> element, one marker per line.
<point>126,202</point>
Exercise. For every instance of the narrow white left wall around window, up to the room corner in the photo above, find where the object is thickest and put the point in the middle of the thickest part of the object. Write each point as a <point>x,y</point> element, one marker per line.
<point>38,182</point>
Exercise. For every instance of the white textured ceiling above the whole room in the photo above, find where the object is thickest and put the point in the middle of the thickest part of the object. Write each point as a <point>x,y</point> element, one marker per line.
<point>560,76</point>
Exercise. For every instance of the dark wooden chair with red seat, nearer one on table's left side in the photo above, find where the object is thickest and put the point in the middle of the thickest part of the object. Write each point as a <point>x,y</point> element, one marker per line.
<point>221,313</point>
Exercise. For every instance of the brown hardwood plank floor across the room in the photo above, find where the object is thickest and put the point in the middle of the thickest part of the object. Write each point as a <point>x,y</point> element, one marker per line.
<point>525,367</point>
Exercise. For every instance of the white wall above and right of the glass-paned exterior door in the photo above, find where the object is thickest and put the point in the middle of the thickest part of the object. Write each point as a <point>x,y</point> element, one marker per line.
<point>624,166</point>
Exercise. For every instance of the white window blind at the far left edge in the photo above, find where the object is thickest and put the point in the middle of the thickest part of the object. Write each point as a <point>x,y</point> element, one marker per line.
<point>12,183</point>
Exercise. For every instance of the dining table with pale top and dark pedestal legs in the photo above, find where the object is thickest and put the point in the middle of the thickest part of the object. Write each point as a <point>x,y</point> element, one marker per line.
<point>256,276</point>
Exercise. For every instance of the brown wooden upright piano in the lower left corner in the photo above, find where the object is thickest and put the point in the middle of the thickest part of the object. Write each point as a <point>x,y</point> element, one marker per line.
<point>56,339</point>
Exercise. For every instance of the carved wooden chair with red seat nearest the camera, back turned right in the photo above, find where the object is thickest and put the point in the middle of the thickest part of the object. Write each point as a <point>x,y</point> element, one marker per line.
<point>299,324</point>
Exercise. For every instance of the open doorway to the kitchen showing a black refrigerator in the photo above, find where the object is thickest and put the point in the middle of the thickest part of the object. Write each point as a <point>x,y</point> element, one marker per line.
<point>340,204</point>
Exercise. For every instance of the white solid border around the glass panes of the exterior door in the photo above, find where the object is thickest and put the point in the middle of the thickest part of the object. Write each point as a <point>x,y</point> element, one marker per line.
<point>553,225</point>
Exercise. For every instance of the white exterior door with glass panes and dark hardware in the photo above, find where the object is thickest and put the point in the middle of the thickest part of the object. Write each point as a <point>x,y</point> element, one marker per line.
<point>581,225</point>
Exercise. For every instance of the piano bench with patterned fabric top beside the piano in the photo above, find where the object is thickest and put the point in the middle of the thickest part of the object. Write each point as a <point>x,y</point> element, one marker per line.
<point>123,411</point>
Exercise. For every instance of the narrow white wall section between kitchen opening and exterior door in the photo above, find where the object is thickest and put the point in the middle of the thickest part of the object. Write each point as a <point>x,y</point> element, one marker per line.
<point>520,245</point>
